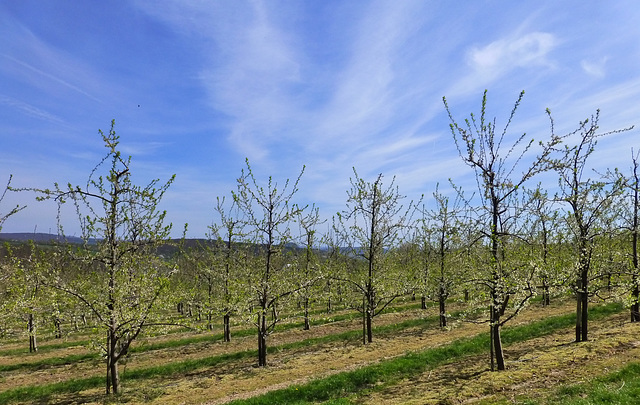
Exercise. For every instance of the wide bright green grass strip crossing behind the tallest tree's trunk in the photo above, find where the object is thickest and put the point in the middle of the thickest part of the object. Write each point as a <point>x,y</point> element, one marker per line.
<point>337,386</point>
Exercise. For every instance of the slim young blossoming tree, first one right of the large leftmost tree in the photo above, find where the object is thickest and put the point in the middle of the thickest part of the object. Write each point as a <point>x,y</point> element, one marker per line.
<point>268,213</point>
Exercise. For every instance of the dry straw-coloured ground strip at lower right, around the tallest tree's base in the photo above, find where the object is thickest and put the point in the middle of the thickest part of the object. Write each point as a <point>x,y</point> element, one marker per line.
<point>534,367</point>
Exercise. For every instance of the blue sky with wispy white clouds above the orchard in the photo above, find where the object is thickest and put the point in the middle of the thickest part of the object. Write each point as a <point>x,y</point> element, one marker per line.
<point>198,87</point>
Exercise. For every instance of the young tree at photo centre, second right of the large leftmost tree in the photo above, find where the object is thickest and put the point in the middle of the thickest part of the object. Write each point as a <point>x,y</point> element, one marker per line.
<point>376,217</point>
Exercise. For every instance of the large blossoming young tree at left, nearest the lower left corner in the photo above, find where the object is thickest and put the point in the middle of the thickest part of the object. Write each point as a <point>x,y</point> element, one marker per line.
<point>122,277</point>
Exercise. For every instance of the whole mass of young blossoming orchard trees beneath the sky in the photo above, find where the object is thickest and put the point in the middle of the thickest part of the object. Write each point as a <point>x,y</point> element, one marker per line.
<point>496,247</point>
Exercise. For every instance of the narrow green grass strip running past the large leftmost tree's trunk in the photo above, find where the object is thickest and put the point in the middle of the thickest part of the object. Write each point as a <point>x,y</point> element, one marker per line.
<point>176,368</point>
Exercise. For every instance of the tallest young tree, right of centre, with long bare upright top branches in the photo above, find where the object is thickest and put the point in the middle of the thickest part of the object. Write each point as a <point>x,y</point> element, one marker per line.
<point>500,173</point>
